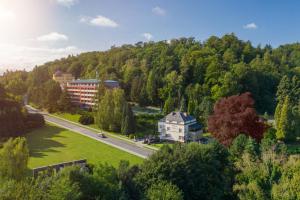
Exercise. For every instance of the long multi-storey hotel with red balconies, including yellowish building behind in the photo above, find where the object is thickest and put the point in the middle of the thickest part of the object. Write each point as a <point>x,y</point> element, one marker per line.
<point>82,92</point>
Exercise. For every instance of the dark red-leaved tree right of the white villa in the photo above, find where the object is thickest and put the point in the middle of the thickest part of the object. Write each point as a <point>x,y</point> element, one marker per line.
<point>235,115</point>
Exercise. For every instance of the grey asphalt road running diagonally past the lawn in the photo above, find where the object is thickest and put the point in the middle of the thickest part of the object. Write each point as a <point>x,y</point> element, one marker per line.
<point>112,141</point>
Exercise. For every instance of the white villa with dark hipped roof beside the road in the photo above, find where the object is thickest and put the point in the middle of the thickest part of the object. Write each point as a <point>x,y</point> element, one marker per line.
<point>179,126</point>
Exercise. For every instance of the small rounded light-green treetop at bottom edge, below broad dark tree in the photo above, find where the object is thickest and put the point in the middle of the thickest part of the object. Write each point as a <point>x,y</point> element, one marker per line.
<point>164,191</point>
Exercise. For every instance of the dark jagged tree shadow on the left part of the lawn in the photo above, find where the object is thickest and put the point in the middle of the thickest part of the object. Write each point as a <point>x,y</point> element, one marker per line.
<point>41,140</point>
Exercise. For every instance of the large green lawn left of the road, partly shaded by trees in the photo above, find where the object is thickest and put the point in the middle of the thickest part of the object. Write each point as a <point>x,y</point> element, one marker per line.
<point>52,144</point>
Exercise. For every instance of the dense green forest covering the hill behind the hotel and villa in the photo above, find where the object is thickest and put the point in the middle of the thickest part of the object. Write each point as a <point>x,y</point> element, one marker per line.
<point>180,74</point>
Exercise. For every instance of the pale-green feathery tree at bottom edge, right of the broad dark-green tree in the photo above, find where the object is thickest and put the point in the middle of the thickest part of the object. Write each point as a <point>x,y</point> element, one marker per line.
<point>257,175</point>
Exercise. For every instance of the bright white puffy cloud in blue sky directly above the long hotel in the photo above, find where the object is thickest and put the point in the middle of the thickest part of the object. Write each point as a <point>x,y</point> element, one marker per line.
<point>99,21</point>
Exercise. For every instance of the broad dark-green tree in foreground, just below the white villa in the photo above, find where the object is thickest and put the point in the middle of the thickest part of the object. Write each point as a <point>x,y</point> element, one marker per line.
<point>199,171</point>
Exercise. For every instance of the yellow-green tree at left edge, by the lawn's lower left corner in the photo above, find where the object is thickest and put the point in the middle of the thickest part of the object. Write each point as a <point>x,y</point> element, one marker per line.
<point>14,158</point>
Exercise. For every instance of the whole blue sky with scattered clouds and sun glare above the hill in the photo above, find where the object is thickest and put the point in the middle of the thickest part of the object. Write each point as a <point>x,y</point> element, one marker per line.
<point>36,31</point>
